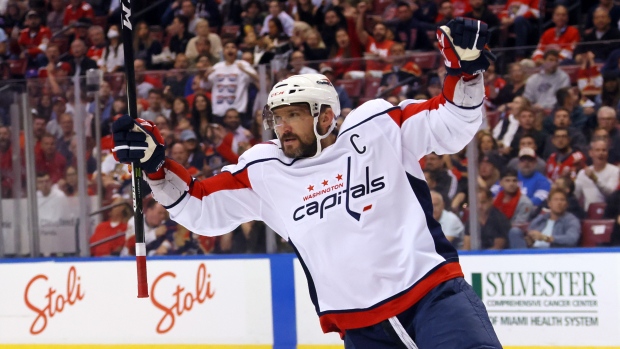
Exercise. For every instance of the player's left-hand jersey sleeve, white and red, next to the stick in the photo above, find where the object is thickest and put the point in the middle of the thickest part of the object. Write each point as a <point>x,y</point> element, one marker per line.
<point>210,207</point>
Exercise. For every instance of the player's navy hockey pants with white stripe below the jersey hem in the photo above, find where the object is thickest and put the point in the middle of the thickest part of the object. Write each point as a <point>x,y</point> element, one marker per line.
<point>451,316</point>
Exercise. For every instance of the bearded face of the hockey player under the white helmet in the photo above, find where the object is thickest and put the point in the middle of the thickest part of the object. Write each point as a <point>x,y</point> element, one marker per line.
<point>295,129</point>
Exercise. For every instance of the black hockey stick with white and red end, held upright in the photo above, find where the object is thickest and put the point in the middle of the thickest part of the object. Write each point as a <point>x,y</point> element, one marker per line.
<point>143,287</point>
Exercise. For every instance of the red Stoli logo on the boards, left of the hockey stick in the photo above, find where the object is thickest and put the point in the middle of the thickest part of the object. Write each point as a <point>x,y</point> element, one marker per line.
<point>55,303</point>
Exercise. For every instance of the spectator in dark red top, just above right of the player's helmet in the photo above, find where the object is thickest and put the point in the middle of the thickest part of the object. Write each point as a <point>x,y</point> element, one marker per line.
<point>346,56</point>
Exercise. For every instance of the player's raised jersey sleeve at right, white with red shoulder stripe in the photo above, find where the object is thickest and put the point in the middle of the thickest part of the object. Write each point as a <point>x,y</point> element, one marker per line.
<point>444,124</point>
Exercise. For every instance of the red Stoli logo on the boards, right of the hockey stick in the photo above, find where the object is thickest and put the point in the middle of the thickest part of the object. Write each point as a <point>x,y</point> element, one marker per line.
<point>181,301</point>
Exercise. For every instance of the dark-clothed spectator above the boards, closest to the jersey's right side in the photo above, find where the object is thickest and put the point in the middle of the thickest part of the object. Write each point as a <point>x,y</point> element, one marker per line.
<point>494,226</point>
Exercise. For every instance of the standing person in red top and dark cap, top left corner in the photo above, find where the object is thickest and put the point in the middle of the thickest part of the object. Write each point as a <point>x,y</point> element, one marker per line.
<point>33,39</point>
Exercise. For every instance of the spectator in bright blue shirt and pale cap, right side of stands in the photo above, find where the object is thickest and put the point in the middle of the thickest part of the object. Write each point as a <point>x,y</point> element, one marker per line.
<point>533,184</point>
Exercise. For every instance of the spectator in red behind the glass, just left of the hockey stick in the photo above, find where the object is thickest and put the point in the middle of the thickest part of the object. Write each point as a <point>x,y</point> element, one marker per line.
<point>113,228</point>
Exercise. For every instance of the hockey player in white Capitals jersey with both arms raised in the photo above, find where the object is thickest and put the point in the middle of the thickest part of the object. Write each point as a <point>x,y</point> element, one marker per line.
<point>354,206</point>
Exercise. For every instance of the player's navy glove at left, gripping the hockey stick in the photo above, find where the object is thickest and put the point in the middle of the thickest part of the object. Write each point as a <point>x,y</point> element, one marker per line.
<point>138,141</point>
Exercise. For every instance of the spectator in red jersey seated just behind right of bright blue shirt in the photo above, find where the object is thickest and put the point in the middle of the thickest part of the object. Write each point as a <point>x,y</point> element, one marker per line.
<point>565,161</point>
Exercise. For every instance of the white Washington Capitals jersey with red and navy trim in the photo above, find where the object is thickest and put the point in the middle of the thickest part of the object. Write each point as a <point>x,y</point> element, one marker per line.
<point>359,215</point>
